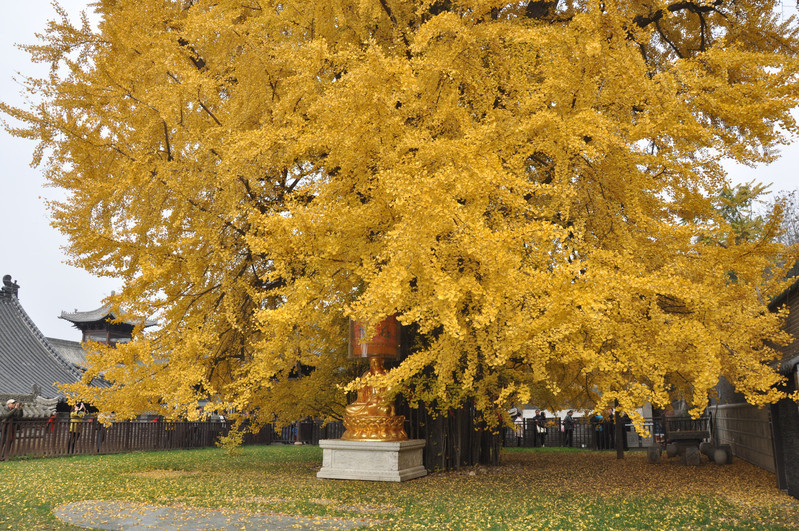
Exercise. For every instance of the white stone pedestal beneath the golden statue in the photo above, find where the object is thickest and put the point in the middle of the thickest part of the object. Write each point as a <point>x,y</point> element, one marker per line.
<point>372,460</point>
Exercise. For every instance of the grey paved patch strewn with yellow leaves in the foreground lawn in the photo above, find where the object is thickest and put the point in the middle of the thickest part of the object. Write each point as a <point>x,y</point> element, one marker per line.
<point>128,516</point>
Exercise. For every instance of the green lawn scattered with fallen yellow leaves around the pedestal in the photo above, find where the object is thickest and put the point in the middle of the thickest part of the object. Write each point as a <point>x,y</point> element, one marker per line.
<point>532,489</point>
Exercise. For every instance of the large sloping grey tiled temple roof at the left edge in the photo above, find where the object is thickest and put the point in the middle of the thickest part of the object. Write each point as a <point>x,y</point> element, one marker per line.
<point>28,362</point>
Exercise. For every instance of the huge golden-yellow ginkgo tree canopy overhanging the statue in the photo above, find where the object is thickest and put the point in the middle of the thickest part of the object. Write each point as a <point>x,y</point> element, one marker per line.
<point>531,187</point>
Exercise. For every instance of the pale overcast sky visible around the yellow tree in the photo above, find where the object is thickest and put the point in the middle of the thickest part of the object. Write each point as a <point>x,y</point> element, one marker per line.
<point>31,250</point>
